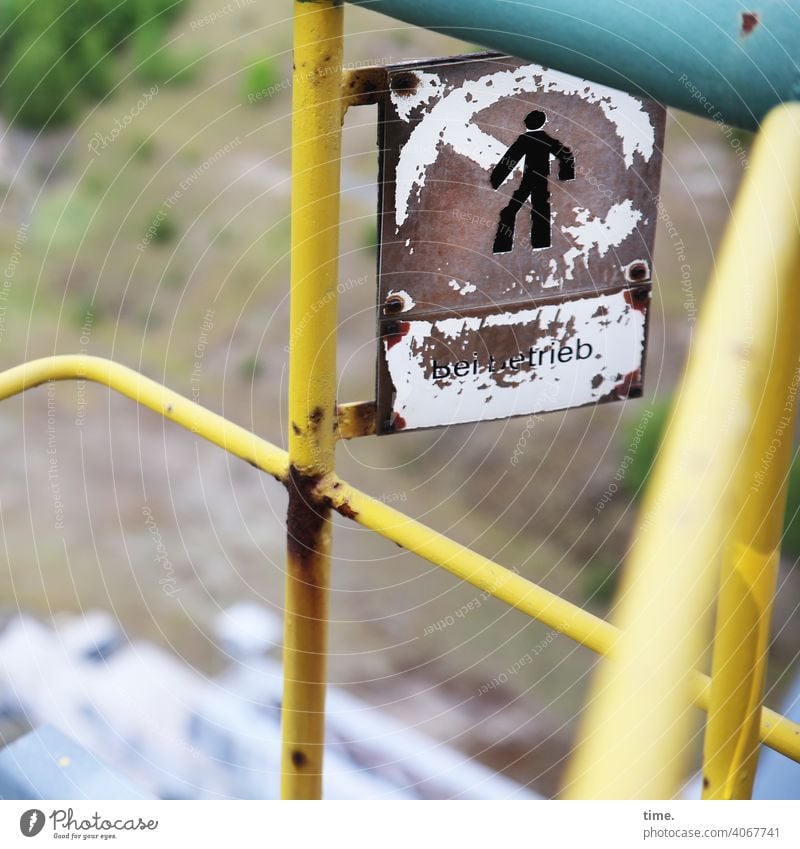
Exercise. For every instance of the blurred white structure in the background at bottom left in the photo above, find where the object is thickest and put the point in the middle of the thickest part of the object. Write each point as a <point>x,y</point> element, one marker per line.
<point>178,734</point>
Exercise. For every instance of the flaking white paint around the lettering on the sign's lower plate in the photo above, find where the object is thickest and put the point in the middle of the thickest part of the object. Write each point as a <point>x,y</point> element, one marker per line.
<point>424,402</point>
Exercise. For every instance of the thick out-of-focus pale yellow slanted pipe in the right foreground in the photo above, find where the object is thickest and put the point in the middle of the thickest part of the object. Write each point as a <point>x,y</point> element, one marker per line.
<point>637,734</point>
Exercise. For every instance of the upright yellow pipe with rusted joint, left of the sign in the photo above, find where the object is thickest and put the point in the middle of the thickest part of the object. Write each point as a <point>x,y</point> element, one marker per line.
<point>316,152</point>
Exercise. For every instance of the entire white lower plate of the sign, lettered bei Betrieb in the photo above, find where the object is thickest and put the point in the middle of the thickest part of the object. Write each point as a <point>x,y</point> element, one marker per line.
<point>496,365</point>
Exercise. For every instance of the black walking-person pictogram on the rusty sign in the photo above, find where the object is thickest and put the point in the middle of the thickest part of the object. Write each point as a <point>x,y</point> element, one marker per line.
<point>537,148</point>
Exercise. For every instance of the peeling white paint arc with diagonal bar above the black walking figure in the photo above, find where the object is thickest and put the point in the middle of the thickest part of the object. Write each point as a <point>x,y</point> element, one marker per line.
<point>450,121</point>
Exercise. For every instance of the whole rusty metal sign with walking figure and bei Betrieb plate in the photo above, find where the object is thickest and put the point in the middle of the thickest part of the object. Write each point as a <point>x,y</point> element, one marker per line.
<point>517,215</point>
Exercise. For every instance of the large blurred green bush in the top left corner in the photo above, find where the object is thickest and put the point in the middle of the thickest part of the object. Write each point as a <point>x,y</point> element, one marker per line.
<point>55,58</point>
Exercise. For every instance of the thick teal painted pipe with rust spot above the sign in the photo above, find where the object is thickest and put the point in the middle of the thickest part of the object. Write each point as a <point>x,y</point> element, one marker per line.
<point>726,60</point>
